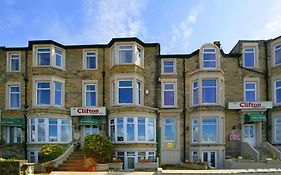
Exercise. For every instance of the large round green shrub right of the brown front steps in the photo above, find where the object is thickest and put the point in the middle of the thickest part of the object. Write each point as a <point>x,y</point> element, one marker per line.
<point>98,147</point>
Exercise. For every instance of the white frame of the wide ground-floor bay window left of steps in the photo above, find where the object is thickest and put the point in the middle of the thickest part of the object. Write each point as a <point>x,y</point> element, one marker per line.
<point>46,131</point>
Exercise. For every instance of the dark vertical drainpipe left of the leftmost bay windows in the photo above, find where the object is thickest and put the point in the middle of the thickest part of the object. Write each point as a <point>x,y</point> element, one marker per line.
<point>25,79</point>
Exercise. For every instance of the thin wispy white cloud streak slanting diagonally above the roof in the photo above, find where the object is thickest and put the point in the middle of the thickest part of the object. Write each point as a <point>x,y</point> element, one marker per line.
<point>181,32</point>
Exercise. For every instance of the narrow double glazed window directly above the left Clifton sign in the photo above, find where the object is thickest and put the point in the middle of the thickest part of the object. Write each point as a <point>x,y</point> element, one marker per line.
<point>90,95</point>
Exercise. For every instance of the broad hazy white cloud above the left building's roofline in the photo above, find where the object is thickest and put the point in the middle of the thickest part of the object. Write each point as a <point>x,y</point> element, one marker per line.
<point>107,19</point>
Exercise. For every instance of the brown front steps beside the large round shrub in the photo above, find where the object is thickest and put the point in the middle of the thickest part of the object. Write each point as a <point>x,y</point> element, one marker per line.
<point>75,162</point>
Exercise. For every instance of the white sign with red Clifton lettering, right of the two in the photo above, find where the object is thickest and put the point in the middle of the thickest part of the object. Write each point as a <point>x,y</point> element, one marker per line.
<point>250,105</point>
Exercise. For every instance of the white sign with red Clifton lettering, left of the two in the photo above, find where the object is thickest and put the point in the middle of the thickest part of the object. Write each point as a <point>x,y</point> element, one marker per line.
<point>87,111</point>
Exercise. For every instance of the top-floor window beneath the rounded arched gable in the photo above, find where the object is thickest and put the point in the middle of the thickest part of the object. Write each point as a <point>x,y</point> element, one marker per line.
<point>209,58</point>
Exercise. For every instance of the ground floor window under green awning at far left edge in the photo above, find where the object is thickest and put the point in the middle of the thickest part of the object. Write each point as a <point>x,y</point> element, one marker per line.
<point>13,134</point>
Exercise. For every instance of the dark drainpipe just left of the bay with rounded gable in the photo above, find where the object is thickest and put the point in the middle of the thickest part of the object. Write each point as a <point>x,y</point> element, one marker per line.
<point>184,111</point>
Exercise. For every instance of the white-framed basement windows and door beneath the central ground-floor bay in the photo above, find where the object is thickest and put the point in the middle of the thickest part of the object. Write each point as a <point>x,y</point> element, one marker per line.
<point>129,159</point>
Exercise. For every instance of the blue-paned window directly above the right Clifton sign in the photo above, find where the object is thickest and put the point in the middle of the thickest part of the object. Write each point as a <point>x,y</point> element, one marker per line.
<point>250,91</point>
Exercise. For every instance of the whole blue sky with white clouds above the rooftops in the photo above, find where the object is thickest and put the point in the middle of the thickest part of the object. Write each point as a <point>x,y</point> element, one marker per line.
<point>180,26</point>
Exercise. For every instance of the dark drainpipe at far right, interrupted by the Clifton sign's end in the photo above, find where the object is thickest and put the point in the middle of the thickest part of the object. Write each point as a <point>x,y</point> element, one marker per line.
<point>267,90</point>
